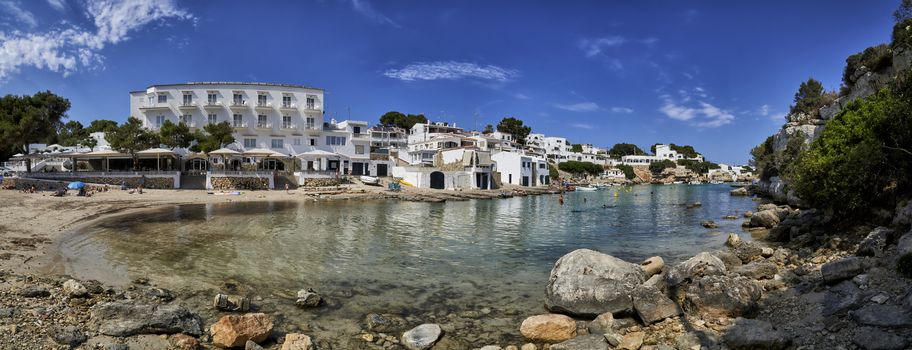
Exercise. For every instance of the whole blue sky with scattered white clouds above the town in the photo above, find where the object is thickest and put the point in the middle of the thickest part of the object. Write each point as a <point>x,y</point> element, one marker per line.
<point>718,75</point>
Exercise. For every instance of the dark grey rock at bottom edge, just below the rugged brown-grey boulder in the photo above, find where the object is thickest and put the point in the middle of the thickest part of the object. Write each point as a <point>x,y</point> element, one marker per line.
<point>755,335</point>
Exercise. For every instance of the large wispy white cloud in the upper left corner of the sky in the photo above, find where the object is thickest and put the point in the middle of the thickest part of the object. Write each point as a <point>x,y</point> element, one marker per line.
<point>67,50</point>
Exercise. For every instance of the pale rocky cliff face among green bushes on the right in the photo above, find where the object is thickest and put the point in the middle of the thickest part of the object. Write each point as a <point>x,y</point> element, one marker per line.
<point>864,83</point>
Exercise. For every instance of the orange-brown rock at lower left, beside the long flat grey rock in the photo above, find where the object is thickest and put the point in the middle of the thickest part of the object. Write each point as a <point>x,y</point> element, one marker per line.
<point>236,330</point>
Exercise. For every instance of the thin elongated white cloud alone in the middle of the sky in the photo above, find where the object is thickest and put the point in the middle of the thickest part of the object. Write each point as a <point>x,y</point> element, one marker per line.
<point>451,70</point>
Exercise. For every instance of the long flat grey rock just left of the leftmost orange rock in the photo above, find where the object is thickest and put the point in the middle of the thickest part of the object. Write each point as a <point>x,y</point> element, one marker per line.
<point>124,318</point>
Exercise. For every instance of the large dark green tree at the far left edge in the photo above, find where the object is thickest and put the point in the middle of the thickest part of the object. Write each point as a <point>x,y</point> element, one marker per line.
<point>30,119</point>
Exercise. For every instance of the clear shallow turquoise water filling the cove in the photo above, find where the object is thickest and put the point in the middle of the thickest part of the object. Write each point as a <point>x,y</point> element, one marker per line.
<point>427,260</point>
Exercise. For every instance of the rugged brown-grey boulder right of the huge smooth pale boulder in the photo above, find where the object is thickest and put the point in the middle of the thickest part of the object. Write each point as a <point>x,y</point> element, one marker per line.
<point>723,296</point>
